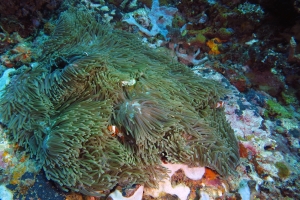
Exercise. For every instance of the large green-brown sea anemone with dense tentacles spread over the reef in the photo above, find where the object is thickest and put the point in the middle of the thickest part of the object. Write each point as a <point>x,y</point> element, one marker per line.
<point>91,78</point>
